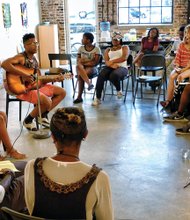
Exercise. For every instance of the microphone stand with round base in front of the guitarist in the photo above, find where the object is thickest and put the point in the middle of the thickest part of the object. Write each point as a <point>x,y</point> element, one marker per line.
<point>41,133</point>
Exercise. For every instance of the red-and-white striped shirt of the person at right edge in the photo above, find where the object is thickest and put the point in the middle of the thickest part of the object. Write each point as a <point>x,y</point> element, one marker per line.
<point>182,58</point>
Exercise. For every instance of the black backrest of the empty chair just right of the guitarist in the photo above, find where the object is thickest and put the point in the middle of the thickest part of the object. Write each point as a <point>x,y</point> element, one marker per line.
<point>60,56</point>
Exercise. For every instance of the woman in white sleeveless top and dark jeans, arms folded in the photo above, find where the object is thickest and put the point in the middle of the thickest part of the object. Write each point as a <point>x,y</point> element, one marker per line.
<point>116,67</point>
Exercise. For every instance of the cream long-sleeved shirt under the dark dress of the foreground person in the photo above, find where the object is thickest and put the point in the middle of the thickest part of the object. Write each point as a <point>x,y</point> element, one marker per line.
<point>98,198</point>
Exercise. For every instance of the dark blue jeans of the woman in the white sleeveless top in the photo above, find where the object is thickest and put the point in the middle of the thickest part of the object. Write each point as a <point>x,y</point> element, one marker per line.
<point>114,75</point>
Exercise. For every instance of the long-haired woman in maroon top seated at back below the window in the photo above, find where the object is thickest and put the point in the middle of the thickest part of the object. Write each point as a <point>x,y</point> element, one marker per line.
<point>149,44</point>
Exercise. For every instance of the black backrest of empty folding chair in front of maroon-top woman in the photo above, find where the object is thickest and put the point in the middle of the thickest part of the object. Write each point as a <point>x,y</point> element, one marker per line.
<point>153,60</point>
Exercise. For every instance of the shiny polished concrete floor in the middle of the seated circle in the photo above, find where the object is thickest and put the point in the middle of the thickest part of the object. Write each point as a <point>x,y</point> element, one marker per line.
<point>141,154</point>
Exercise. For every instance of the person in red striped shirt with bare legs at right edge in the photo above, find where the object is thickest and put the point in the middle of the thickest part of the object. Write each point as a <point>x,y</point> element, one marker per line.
<point>181,65</point>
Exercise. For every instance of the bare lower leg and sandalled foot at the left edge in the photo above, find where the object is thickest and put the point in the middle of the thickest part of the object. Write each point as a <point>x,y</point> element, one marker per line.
<point>4,137</point>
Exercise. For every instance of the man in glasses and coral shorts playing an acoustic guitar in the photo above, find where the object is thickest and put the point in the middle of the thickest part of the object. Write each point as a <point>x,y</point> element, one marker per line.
<point>50,95</point>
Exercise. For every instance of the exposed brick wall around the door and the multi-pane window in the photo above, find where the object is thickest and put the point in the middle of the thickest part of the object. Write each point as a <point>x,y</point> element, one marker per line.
<point>53,11</point>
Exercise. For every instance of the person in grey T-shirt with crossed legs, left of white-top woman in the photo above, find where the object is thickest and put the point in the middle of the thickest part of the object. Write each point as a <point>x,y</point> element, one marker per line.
<point>87,60</point>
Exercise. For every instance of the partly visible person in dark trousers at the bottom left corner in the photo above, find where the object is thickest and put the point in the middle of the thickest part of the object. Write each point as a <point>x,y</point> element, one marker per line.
<point>12,188</point>
